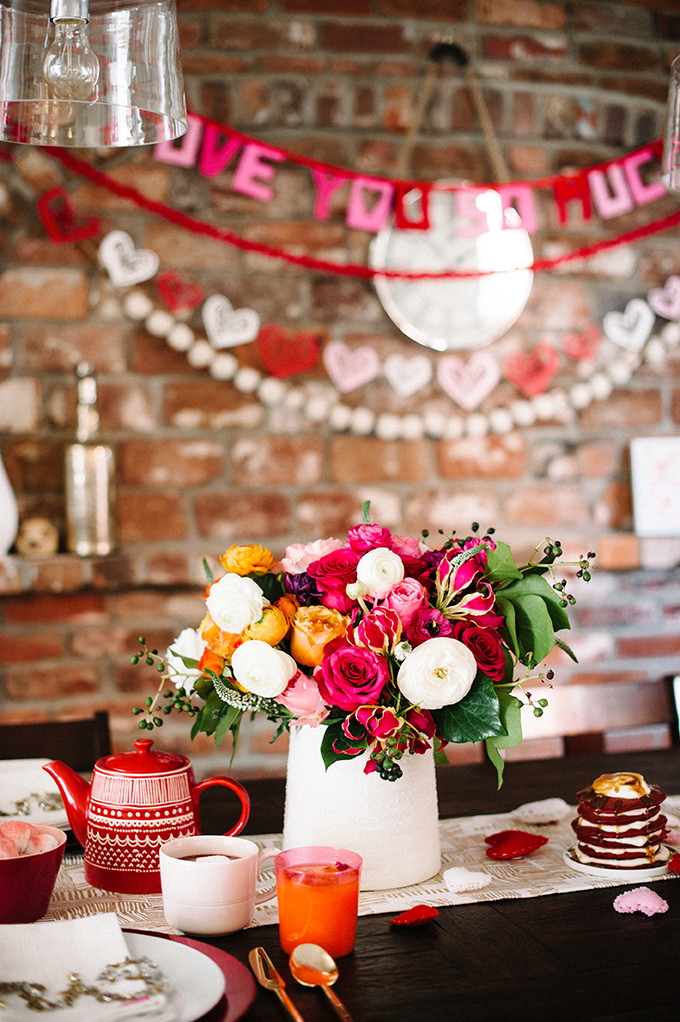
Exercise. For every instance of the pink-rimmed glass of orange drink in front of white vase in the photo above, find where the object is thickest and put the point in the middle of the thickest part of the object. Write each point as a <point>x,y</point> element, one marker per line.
<point>318,890</point>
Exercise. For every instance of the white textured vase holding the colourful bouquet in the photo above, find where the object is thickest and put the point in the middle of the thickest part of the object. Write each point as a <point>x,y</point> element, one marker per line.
<point>393,825</point>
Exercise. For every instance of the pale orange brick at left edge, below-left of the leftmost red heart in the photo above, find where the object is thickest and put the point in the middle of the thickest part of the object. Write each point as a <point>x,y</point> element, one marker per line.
<point>43,294</point>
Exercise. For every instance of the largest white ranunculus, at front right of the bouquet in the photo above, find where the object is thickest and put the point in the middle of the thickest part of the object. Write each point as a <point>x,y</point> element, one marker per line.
<point>439,673</point>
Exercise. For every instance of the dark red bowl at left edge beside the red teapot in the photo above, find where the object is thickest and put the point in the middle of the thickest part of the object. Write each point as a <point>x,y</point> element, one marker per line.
<point>27,882</point>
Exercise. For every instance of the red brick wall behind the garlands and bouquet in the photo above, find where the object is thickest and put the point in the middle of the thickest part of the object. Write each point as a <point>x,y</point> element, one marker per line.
<point>202,464</point>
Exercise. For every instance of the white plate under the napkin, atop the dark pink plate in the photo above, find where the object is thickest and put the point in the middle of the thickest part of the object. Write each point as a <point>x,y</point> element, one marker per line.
<point>198,982</point>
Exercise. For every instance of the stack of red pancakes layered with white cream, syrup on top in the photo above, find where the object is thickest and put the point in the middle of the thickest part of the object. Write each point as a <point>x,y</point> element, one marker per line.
<point>620,825</point>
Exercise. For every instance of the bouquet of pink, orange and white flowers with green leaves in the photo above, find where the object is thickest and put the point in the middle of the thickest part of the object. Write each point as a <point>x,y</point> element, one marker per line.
<point>390,645</point>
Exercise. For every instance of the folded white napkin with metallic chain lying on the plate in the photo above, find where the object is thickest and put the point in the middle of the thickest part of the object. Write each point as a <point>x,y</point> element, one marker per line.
<point>50,953</point>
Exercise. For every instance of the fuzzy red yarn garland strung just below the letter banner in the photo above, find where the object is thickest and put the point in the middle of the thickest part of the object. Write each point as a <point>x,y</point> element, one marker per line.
<point>326,266</point>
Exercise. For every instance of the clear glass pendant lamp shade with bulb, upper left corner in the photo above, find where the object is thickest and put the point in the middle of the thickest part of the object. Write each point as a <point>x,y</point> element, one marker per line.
<point>113,80</point>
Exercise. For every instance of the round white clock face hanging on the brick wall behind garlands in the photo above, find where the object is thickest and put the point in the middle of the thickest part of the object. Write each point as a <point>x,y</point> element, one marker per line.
<point>459,313</point>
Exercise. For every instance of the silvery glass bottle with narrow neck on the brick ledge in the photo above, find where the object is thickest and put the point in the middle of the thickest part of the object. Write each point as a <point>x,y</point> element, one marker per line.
<point>89,477</point>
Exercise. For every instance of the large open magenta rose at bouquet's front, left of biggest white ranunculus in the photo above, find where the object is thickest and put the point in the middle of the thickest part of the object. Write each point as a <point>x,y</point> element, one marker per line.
<point>351,676</point>
